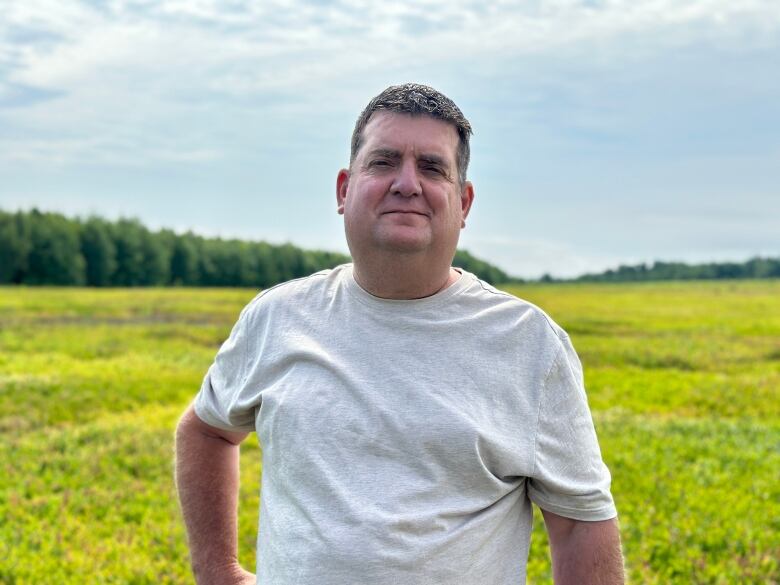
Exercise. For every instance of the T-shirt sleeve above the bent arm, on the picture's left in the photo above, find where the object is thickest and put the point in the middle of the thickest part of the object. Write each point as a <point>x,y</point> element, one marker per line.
<point>224,400</point>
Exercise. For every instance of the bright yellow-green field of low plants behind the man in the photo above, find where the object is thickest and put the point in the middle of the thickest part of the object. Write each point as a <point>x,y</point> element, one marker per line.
<point>683,379</point>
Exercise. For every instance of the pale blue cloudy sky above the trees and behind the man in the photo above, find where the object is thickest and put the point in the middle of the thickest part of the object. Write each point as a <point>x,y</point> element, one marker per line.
<point>605,132</point>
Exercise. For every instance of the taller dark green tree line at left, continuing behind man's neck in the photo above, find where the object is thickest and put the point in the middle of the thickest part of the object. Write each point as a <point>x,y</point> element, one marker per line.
<point>44,248</point>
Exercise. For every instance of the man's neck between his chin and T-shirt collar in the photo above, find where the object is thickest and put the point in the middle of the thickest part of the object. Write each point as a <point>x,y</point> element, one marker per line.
<point>402,278</point>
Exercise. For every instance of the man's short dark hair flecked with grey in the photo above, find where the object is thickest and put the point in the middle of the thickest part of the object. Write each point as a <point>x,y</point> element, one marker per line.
<point>417,100</point>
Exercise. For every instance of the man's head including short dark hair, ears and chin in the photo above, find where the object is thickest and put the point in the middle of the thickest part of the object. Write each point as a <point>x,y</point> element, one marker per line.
<point>405,195</point>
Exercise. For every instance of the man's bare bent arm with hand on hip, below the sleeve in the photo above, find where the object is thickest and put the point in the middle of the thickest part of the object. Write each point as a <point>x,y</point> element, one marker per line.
<point>207,479</point>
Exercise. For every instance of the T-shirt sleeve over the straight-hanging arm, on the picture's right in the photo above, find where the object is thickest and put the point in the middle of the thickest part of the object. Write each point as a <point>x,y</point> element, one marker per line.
<point>569,477</point>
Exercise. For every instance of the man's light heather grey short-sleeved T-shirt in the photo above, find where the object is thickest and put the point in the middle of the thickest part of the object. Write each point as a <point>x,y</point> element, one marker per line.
<point>402,440</point>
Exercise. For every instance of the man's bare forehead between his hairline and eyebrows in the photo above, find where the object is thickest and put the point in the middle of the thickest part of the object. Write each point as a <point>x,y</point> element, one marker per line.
<point>404,132</point>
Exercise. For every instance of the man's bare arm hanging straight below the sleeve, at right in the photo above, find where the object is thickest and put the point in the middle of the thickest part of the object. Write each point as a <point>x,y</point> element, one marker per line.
<point>584,553</point>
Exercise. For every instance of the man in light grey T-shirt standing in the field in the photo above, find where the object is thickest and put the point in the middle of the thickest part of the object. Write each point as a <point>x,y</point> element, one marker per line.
<point>409,413</point>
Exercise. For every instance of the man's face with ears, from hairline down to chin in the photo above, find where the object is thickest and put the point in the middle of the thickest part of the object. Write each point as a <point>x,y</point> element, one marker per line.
<point>402,193</point>
